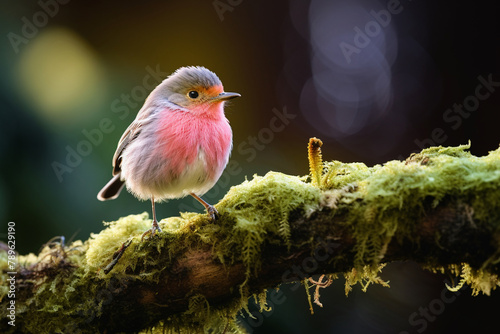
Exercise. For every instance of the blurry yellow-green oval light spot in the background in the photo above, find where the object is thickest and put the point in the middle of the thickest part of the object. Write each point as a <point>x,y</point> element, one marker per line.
<point>60,77</point>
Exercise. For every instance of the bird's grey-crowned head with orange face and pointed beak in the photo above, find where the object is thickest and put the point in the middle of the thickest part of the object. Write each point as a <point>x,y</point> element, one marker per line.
<point>195,88</point>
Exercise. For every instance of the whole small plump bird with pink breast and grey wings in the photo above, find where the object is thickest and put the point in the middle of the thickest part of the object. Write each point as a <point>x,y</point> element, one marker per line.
<point>179,143</point>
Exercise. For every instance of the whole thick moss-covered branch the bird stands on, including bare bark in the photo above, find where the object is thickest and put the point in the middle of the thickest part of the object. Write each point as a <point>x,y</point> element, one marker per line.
<point>440,208</point>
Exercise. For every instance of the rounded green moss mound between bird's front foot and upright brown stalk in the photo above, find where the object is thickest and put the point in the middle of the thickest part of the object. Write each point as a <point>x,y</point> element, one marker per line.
<point>260,210</point>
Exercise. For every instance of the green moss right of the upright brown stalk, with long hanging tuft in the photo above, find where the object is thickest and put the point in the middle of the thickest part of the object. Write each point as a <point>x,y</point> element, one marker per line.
<point>393,195</point>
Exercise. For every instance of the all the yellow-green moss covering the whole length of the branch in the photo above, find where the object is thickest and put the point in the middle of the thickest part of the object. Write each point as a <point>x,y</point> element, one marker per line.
<point>378,203</point>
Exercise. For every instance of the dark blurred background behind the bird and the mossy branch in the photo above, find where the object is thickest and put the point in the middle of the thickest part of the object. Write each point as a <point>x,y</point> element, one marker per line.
<point>65,69</point>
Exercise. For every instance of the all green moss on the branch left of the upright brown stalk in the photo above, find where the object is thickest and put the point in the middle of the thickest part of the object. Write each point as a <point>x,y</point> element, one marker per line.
<point>251,214</point>
